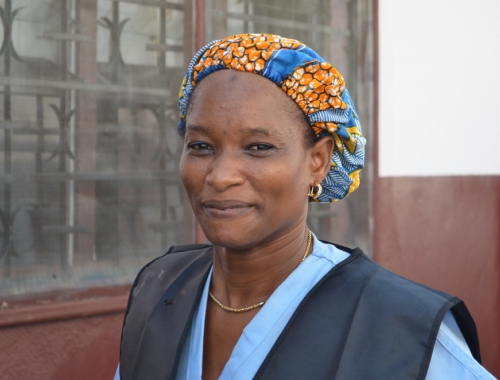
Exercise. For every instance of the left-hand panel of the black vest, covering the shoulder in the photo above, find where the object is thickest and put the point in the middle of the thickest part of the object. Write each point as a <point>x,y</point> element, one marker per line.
<point>162,299</point>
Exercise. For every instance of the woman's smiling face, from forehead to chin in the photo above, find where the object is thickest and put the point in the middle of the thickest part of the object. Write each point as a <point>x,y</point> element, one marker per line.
<point>245,165</point>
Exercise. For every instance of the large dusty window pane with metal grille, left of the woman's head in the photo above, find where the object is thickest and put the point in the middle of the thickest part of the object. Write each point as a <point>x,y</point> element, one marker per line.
<point>89,185</point>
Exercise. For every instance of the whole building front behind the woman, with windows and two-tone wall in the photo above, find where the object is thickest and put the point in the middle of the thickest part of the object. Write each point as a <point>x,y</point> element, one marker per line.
<point>89,188</point>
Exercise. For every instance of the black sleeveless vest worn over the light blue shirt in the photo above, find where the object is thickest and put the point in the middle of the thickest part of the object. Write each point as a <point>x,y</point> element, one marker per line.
<point>359,322</point>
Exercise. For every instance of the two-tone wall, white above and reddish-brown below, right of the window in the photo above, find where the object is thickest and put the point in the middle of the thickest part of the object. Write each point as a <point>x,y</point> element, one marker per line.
<point>437,190</point>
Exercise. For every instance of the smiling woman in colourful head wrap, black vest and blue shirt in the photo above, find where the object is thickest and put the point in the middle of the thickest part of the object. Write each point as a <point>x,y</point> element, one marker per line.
<point>267,126</point>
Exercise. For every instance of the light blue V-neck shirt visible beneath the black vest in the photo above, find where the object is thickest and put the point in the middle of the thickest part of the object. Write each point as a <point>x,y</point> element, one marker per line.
<point>451,358</point>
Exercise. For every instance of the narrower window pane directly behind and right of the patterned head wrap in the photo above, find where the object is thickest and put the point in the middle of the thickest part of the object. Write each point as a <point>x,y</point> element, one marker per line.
<point>340,31</point>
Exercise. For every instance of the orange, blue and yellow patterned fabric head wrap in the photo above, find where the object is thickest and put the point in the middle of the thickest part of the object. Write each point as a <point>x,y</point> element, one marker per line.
<point>315,85</point>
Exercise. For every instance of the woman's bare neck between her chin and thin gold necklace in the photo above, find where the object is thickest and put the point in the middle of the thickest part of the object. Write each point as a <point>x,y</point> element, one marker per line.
<point>242,278</point>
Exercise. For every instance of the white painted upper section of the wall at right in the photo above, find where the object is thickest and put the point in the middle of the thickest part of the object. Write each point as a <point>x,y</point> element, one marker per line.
<point>439,93</point>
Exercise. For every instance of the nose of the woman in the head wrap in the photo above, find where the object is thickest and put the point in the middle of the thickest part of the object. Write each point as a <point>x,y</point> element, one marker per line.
<point>226,171</point>
